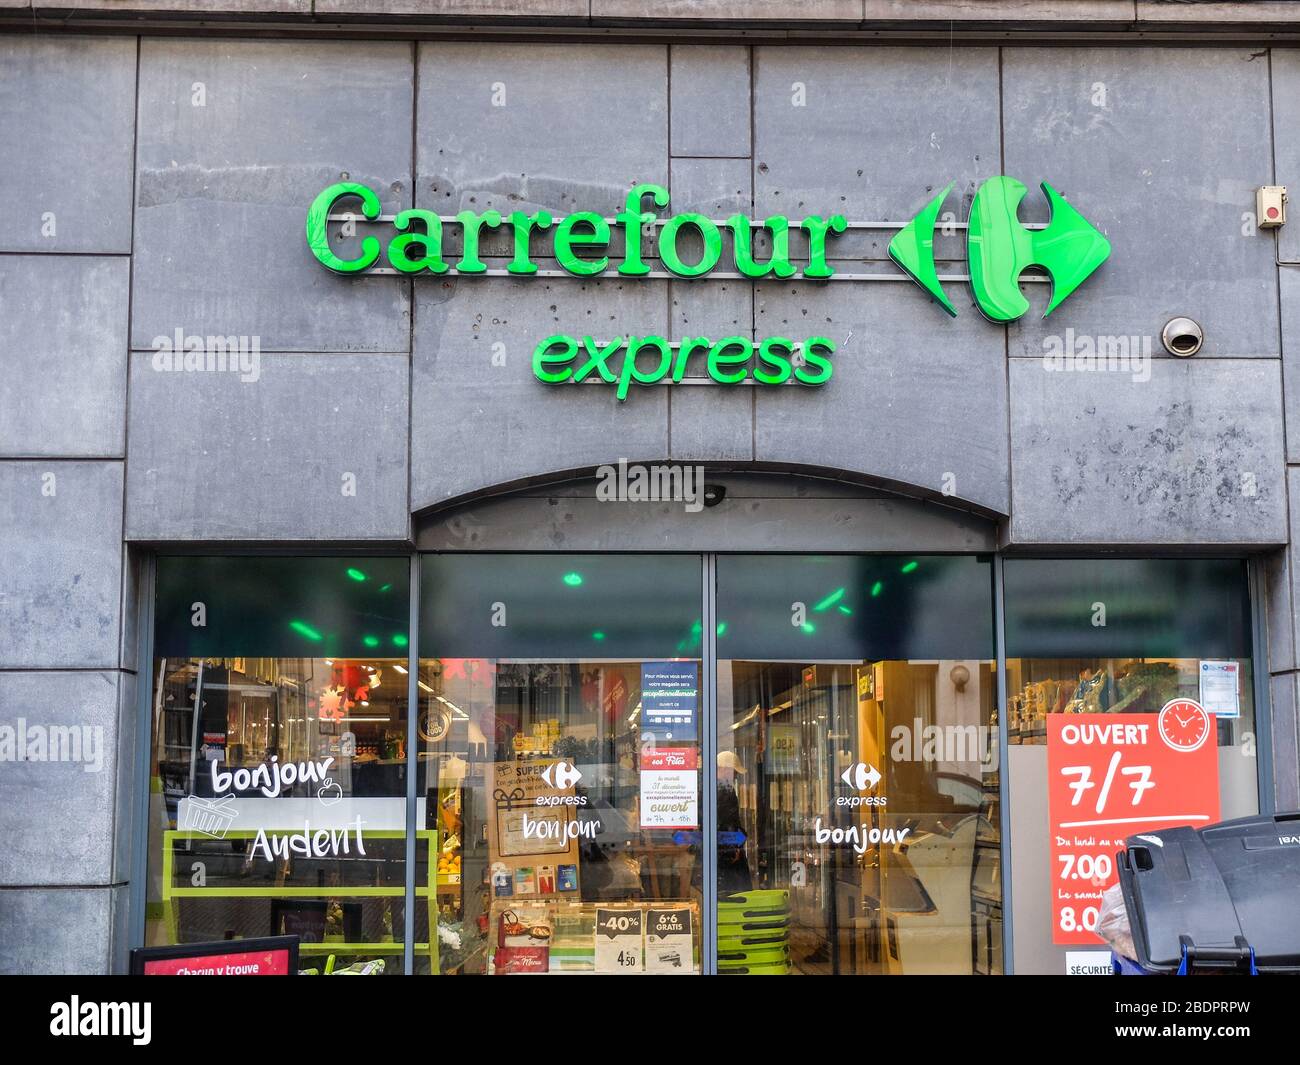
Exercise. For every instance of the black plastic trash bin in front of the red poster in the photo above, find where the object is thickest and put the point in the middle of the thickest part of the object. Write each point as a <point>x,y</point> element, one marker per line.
<point>1223,899</point>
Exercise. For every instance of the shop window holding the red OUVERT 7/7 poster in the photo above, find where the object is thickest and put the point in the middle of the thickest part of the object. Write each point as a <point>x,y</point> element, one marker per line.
<point>1098,650</point>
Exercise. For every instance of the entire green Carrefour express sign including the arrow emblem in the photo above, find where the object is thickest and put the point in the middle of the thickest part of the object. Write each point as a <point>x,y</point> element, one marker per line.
<point>998,249</point>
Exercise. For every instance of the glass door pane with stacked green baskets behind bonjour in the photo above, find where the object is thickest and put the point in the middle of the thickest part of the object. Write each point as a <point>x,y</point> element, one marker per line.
<point>857,770</point>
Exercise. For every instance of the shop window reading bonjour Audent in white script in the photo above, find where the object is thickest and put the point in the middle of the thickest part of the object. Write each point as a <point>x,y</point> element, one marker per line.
<point>278,799</point>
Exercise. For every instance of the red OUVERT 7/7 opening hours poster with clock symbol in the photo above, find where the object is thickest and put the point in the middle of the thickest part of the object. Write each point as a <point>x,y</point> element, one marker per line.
<point>1112,777</point>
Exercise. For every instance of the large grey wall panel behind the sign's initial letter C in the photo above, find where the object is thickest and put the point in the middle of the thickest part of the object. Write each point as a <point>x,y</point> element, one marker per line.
<point>224,189</point>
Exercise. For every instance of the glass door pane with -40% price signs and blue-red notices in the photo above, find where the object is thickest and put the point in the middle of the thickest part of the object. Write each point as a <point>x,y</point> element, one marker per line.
<point>560,770</point>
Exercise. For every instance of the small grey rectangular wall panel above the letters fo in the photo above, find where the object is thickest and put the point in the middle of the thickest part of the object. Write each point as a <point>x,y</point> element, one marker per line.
<point>710,101</point>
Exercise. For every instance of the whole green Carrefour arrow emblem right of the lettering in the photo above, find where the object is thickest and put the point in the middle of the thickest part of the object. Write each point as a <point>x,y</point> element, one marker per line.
<point>999,249</point>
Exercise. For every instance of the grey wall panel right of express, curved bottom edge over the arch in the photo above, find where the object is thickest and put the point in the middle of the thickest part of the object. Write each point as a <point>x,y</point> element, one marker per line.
<point>905,404</point>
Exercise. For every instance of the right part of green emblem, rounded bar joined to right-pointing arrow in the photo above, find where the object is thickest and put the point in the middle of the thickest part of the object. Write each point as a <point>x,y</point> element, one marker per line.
<point>999,249</point>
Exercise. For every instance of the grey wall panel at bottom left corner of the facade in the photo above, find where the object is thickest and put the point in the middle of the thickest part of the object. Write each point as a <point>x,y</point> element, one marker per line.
<point>59,932</point>
